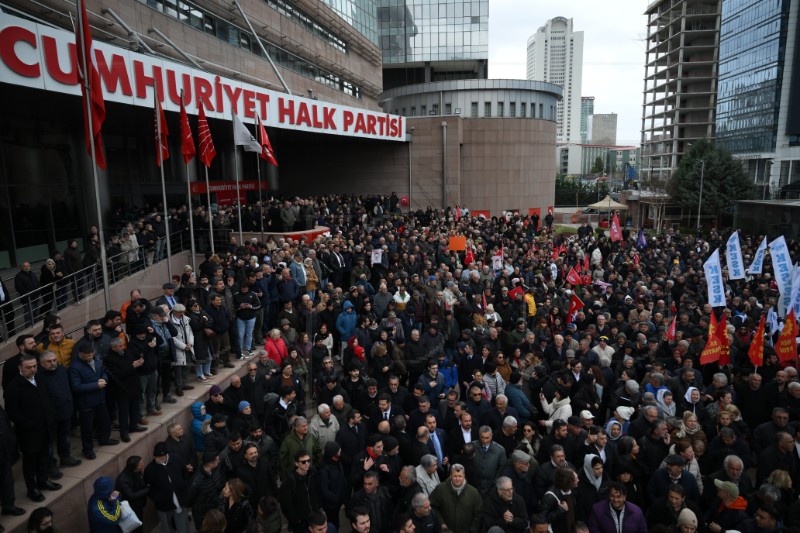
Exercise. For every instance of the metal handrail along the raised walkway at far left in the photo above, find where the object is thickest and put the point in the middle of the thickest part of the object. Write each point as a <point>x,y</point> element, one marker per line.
<point>73,288</point>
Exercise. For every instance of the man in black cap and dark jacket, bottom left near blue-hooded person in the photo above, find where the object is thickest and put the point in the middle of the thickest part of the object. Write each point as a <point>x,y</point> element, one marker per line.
<point>167,484</point>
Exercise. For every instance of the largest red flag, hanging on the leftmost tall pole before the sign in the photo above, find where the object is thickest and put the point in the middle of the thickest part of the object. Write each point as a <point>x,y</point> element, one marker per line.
<point>90,81</point>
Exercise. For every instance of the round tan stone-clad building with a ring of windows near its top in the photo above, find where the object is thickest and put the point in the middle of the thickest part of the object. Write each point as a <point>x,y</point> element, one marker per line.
<point>484,144</point>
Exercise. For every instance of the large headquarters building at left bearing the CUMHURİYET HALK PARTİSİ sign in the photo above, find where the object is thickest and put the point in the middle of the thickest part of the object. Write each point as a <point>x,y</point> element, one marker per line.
<point>46,187</point>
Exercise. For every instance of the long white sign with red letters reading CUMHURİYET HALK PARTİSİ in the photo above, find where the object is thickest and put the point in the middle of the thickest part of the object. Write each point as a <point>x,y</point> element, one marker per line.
<point>41,57</point>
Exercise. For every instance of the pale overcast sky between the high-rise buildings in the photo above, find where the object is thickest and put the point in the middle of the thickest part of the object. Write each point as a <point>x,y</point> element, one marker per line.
<point>613,50</point>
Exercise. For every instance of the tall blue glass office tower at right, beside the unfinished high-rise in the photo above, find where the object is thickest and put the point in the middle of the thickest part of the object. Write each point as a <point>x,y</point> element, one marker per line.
<point>751,57</point>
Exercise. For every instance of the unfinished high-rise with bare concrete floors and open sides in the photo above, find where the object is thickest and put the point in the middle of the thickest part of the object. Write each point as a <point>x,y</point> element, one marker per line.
<point>680,84</point>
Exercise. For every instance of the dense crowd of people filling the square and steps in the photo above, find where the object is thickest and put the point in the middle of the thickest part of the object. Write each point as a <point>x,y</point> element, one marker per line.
<point>420,388</point>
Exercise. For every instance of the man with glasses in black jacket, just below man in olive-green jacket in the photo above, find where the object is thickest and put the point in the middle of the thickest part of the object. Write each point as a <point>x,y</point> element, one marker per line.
<point>299,494</point>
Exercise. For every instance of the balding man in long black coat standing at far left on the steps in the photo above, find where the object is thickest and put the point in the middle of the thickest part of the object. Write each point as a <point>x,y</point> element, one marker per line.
<point>30,408</point>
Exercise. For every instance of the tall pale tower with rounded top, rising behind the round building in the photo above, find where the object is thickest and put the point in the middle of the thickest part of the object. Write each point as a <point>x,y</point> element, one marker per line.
<point>555,55</point>
